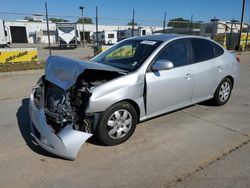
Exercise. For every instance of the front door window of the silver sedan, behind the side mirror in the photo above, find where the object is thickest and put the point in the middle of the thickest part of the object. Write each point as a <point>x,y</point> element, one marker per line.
<point>176,52</point>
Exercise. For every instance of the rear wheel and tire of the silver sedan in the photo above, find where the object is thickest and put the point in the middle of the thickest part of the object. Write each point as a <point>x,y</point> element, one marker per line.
<point>223,92</point>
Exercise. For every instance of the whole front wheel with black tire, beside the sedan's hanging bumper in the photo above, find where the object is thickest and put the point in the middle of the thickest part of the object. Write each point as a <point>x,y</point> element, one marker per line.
<point>117,124</point>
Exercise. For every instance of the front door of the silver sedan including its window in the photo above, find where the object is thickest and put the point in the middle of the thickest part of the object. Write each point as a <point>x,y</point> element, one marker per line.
<point>167,90</point>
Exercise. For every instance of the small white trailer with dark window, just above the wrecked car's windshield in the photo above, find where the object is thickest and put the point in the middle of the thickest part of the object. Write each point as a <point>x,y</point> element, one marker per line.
<point>106,37</point>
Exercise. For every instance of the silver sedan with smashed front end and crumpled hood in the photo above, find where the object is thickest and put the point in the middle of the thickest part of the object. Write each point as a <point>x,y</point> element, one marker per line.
<point>136,79</point>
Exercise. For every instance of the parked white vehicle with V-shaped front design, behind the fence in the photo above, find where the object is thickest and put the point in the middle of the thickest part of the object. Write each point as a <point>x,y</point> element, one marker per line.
<point>66,35</point>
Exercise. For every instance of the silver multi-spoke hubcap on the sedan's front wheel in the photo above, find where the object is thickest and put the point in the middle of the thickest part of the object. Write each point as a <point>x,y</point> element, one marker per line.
<point>119,124</point>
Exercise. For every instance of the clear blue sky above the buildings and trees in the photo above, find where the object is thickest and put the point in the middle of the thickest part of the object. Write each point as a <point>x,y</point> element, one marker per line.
<point>149,12</point>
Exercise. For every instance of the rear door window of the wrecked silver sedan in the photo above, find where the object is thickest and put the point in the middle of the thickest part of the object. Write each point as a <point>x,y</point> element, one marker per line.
<point>202,50</point>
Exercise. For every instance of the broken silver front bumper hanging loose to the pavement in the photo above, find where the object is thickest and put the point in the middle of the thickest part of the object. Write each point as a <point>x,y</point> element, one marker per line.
<point>66,143</point>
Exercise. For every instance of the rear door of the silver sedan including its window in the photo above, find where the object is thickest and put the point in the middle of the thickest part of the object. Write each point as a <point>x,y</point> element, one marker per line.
<point>207,68</point>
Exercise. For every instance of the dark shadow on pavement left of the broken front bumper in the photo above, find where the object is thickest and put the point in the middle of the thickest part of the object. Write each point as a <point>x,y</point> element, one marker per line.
<point>23,120</point>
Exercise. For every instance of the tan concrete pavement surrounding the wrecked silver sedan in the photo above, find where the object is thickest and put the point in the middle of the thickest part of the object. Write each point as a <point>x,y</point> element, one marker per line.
<point>199,146</point>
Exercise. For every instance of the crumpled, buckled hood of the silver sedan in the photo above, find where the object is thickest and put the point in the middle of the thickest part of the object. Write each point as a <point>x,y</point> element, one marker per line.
<point>63,71</point>
